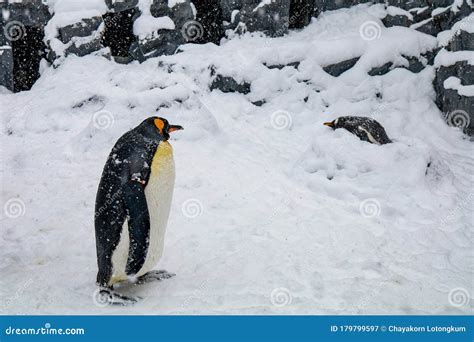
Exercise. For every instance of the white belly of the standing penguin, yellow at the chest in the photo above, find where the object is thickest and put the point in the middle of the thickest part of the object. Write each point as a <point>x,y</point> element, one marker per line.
<point>158,193</point>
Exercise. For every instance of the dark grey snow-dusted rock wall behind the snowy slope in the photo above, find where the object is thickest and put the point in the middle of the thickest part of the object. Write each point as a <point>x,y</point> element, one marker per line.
<point>206,20</point>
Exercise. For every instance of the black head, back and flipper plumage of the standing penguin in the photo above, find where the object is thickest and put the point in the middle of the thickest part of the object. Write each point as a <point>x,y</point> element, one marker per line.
<point>121,188</point>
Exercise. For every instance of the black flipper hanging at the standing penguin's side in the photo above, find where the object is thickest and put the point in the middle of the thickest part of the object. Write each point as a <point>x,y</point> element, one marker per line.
<point>139,225</point>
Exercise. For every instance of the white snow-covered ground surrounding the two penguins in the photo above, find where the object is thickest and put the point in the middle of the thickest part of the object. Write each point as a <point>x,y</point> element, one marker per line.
<point>273,212</point>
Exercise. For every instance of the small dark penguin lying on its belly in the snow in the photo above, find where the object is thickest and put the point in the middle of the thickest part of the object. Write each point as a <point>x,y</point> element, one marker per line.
<point>366,129</point>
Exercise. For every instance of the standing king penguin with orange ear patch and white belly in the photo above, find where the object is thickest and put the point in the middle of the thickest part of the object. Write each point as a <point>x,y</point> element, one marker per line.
<point>132,207</point>
